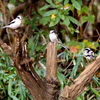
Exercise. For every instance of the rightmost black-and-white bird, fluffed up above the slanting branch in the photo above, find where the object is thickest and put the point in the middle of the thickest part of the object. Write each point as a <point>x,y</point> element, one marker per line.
<point>88,54</point>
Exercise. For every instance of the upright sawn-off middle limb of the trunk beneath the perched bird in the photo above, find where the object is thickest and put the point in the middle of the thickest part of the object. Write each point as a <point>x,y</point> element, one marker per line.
<point>51,68</point>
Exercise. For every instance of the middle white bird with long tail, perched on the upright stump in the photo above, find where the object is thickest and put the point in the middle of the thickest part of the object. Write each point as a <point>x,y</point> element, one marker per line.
<point>53,38</point>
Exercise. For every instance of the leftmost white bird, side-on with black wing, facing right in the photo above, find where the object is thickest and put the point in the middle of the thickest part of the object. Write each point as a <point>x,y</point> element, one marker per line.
<point>14,24</point>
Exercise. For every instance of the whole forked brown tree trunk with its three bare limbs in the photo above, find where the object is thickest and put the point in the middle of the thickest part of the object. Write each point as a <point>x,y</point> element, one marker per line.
<point>46,89</point>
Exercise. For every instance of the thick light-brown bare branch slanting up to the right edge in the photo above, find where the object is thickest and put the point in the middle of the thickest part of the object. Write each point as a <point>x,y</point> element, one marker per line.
<point>79,84</point>
